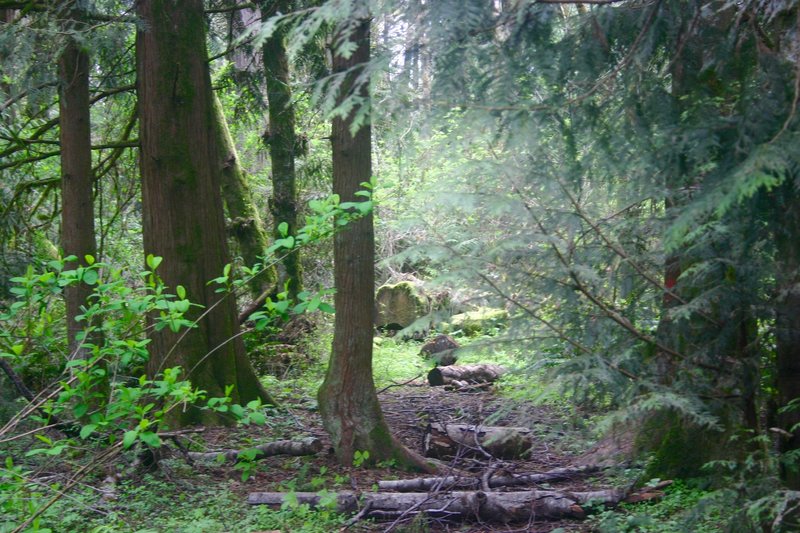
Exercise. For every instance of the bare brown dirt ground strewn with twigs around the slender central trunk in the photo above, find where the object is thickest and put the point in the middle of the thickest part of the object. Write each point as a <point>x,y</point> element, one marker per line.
<point>408,410</point>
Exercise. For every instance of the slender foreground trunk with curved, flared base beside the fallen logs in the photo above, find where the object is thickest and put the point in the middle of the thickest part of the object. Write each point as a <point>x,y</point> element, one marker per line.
<point>348,402</point>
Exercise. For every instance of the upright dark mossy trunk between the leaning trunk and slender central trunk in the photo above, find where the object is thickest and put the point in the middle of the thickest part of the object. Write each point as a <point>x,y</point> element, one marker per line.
<point>281,141</point>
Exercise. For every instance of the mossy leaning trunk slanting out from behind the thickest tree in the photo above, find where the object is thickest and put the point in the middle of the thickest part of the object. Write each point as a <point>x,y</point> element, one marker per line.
<point>244,221</point>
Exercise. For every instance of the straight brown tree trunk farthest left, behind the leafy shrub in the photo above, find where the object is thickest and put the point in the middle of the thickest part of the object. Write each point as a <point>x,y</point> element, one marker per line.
<point>77,214</point>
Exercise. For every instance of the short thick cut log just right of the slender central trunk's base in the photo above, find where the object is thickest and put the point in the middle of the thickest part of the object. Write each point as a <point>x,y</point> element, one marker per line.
<point>502,442</point>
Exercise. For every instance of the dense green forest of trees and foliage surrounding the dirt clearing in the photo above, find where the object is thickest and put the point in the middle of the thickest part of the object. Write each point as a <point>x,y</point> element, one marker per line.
<point>619,176</point>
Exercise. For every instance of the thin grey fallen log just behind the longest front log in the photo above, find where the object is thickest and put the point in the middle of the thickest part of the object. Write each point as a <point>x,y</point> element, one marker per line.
<point>461,482</point>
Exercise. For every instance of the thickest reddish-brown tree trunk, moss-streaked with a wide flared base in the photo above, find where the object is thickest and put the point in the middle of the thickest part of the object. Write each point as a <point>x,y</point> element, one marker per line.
<point>183,213</point>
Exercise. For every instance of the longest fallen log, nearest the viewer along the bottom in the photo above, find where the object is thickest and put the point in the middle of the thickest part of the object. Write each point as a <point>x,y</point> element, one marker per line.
<point>498,507</point>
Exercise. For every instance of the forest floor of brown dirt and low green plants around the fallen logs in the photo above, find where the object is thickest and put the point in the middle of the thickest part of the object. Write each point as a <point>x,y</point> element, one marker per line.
<point>212,497</point>
